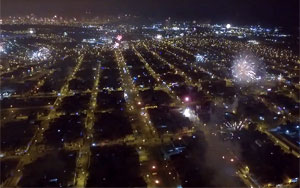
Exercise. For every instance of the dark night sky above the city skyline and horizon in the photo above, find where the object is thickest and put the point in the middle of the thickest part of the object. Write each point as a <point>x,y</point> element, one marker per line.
<point>266,12</point>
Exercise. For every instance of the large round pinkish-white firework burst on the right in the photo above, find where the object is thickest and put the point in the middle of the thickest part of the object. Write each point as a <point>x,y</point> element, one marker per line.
<point>244,70</point>
